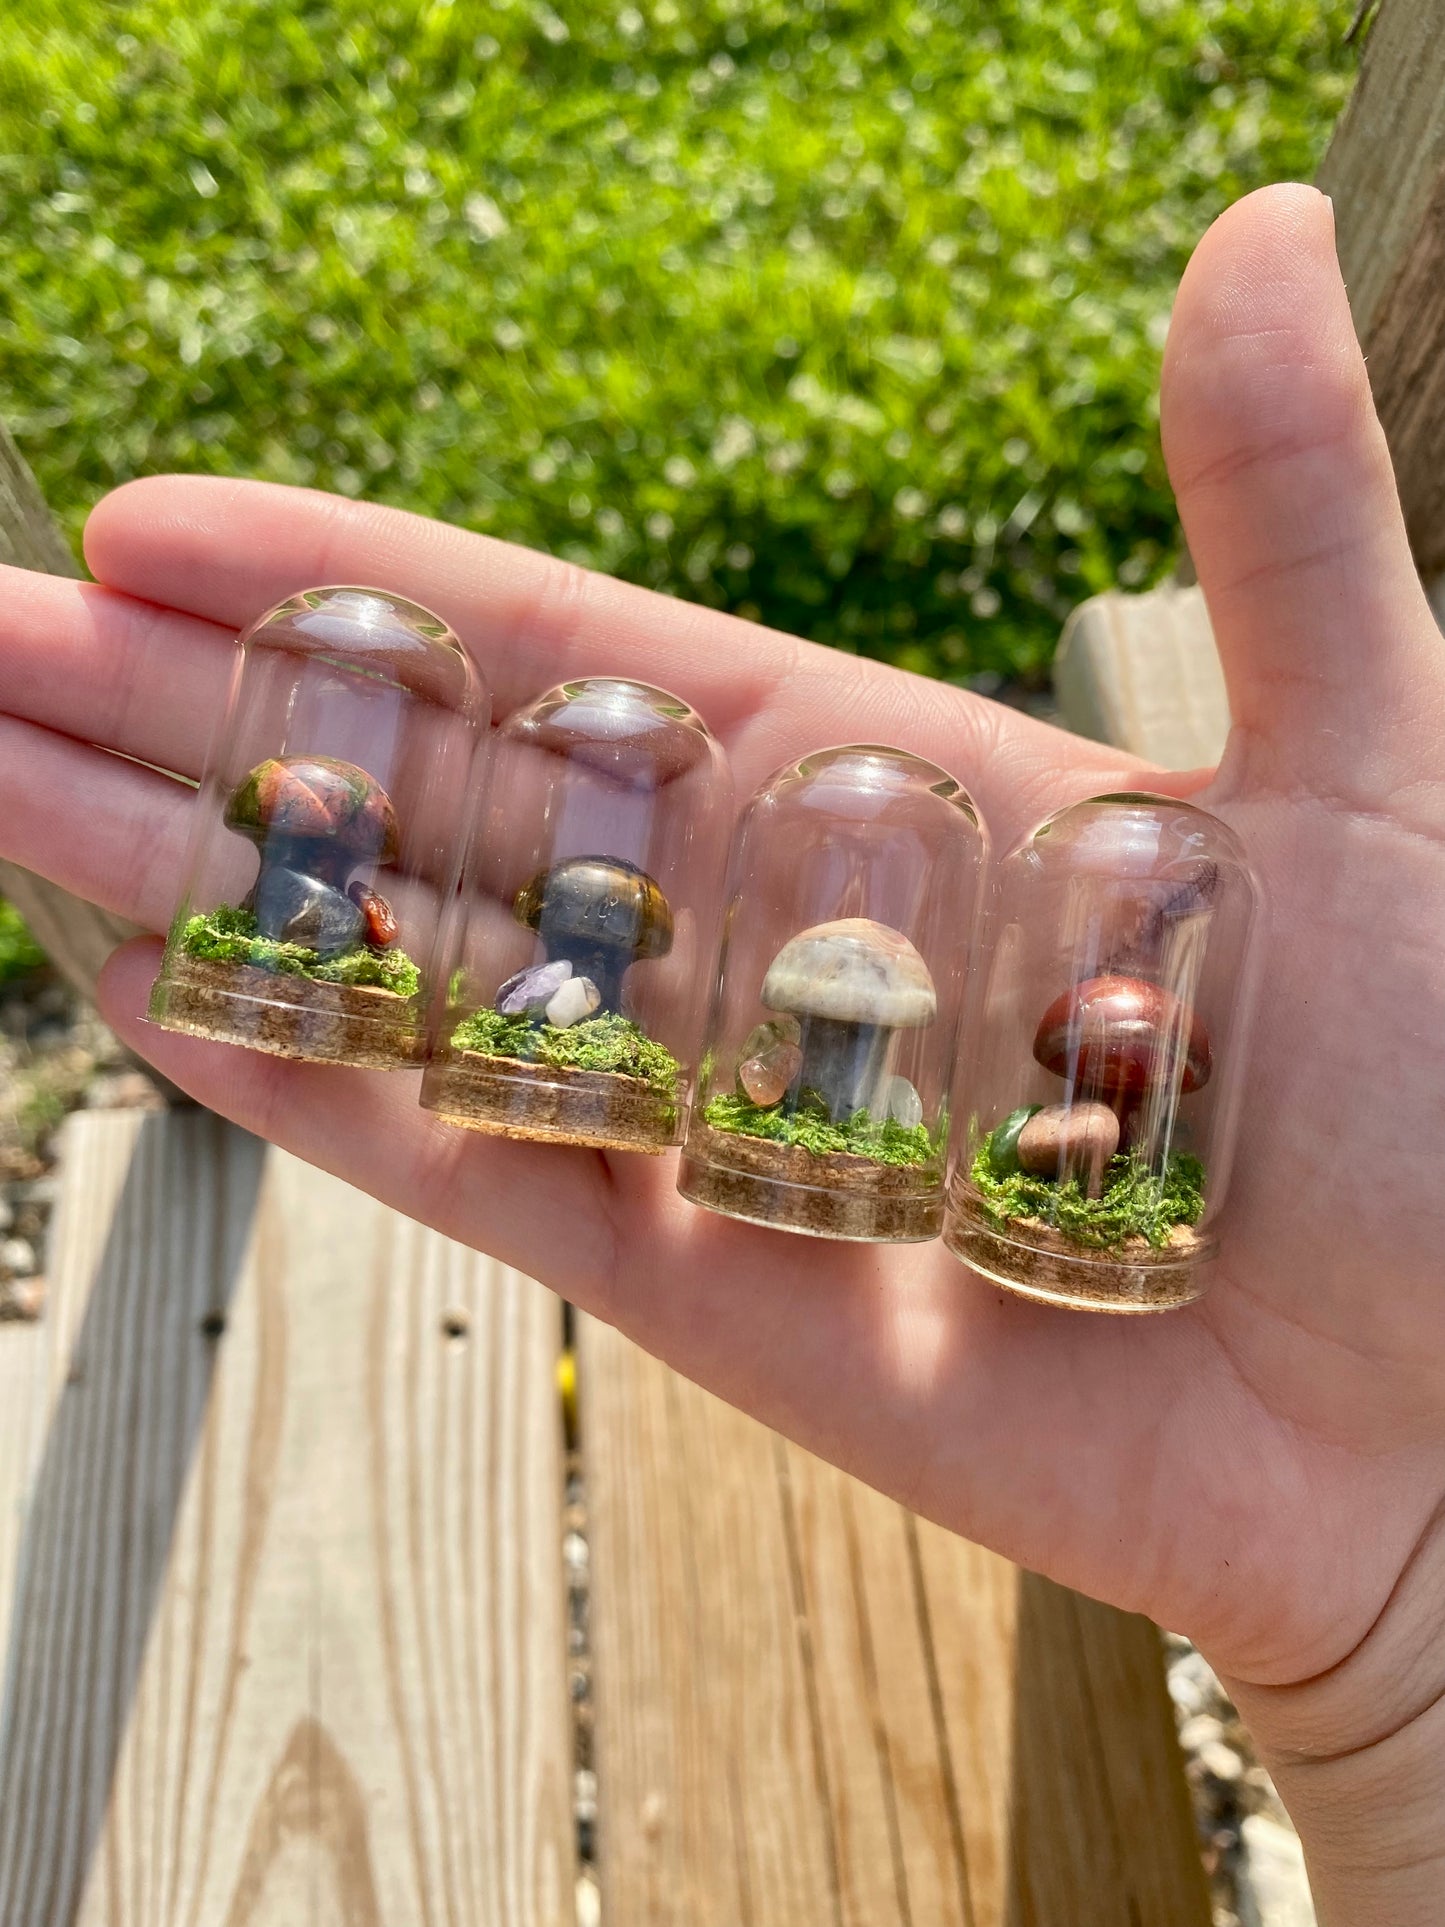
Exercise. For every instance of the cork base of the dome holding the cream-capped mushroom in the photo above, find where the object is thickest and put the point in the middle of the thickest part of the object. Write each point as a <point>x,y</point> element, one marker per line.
<point>795,1190</point>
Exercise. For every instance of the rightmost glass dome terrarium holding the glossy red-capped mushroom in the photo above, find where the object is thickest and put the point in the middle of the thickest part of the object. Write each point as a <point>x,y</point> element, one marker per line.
<point>1103,1078</point>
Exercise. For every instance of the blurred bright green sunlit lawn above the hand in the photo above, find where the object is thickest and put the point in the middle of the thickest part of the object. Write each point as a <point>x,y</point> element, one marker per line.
<point>847,313</point>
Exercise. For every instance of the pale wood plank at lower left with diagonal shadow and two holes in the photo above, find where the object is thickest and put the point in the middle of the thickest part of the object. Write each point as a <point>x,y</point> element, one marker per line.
<point>290,1629</point>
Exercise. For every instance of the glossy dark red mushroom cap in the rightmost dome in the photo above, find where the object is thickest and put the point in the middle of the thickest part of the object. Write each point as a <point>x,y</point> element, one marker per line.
<point>1122,1036</point>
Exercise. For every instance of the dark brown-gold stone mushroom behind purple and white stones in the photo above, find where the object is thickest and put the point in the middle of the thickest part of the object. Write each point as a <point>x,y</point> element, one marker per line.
<point>598,914</point>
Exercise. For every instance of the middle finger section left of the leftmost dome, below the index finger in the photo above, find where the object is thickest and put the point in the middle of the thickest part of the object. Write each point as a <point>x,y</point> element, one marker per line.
<point>111,670</point>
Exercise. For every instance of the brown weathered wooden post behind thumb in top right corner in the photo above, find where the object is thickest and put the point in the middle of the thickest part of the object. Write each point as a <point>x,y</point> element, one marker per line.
<point>1386,172</point>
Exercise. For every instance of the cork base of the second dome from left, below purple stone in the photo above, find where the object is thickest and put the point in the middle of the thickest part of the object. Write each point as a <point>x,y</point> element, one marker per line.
<point>552,1105</point>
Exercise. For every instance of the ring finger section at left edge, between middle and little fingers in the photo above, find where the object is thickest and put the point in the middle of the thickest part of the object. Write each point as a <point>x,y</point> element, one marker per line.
<point>97,826</point>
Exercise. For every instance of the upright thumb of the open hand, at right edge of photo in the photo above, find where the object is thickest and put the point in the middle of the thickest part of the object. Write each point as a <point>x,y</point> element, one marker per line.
<point>1292,512</point>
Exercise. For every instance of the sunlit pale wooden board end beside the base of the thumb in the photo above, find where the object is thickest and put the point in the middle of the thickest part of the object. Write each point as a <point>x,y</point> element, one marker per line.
<point>1143,673</point>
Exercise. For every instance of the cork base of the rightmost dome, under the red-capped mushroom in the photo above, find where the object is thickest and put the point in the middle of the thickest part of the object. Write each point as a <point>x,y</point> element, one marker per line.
<point>1039,1263</point>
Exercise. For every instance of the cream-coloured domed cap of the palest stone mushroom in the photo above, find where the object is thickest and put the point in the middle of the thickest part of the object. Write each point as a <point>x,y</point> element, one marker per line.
<point>856,972</point>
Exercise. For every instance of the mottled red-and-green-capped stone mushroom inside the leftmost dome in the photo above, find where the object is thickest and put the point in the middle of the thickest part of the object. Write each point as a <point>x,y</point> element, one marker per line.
<point>317,820</point>
